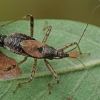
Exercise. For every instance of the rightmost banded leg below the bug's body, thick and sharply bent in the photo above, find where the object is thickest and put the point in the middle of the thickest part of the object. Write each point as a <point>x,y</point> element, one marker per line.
<point>53,73</point>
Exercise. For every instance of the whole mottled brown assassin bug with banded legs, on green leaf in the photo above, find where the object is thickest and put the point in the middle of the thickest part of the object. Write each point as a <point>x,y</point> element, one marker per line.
<point>29,47</point>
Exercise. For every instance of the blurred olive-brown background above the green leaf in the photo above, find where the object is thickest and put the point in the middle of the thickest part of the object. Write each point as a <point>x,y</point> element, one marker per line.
<point>78,10</point>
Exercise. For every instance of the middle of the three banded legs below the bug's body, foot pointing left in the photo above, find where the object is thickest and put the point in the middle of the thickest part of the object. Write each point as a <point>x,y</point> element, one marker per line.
<point>31,78</point>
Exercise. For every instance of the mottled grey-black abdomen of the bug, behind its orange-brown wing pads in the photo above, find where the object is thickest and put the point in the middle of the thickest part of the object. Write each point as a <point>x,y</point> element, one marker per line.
<point>12,43</point>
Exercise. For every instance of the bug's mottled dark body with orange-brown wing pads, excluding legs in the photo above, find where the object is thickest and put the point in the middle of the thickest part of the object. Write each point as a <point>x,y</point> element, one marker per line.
<point>27,46</point>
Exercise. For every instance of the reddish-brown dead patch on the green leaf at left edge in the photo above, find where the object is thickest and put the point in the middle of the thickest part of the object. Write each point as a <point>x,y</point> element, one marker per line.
<point>6,62</point>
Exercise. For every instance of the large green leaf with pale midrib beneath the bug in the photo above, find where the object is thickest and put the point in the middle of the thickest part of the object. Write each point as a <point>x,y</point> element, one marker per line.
<point>74,83</point>
